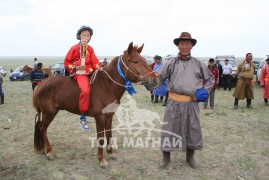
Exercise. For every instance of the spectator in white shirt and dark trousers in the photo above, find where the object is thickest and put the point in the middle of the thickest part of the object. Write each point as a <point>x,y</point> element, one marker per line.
<point>227,74</point>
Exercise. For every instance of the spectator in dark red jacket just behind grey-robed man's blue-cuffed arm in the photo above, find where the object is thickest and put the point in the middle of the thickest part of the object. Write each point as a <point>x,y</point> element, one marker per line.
<point>214,70</point>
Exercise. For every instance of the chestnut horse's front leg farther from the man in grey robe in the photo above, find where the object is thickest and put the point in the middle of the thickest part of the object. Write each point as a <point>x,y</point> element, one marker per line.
<point>100,127</point>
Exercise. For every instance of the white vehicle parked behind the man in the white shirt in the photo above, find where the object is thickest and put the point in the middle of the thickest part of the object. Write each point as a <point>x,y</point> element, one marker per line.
<point>233,62</point>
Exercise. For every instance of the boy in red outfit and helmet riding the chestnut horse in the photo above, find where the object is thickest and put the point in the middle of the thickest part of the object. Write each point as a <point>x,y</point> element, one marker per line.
<point>81,61</point>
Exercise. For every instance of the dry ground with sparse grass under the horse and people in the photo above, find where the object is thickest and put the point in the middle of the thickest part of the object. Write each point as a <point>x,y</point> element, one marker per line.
<point>236,143</point>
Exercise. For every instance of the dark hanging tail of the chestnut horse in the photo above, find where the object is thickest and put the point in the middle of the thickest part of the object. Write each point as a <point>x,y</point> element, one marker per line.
<point>38,138</point>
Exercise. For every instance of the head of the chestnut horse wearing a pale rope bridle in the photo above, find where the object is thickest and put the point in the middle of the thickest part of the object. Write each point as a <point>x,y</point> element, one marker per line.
<point>136,68</point>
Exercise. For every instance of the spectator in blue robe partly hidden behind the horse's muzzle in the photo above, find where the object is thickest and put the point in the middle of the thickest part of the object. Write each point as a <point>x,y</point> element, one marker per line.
<point>161,90</point>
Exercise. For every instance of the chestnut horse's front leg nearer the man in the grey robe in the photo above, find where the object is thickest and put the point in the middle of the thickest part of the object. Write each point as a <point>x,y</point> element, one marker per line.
<point>108,127</point>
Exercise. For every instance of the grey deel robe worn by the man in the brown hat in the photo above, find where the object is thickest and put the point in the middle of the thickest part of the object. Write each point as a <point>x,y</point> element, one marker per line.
<point>182,129</point>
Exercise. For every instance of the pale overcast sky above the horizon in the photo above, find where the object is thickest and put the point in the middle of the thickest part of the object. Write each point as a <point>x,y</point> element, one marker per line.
<point>49,27</point>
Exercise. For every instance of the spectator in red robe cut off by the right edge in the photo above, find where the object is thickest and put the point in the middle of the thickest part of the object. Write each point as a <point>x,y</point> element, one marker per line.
<point>264,80</point>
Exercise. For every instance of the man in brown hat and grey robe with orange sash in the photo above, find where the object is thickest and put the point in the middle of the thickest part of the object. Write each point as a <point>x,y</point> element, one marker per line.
<point>181,129</point>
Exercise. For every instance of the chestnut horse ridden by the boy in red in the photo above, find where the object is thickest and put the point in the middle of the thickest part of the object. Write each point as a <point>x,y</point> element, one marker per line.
<point>107,87</point>
